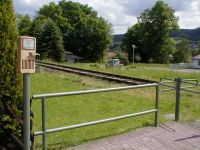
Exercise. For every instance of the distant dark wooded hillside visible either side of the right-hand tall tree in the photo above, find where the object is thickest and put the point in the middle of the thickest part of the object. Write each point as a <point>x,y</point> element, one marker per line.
<point>191,34</point>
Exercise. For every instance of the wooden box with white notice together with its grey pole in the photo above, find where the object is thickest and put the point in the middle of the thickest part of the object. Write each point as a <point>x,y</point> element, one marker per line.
<point>26,65</point>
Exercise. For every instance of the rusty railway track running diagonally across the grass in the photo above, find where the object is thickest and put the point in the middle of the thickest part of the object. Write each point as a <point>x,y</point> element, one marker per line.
<point>96,74</point>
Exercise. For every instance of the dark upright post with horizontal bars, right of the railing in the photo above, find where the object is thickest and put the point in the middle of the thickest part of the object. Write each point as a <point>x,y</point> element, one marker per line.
<point>178,90</point>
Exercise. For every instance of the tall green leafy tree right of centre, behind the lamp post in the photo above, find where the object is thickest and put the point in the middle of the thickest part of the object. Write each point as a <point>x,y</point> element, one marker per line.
<point>152,33</point>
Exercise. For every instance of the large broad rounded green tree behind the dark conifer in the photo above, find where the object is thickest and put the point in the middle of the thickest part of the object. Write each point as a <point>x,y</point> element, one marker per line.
<point>84,33</point>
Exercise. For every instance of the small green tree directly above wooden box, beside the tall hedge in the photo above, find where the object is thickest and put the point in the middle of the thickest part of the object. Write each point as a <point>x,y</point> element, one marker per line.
<point>24,24</point>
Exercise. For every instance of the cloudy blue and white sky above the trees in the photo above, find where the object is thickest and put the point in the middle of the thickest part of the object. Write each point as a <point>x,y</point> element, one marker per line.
<point>123,13</point>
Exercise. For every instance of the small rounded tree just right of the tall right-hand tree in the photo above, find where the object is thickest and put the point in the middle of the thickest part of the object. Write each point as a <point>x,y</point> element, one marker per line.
<point>183,53</point>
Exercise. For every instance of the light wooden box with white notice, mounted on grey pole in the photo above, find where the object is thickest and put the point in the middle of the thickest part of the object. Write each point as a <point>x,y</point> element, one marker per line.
<point>27,54</point>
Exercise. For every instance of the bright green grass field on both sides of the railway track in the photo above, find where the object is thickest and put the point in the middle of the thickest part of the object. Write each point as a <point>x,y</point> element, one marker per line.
<point>78,109</point>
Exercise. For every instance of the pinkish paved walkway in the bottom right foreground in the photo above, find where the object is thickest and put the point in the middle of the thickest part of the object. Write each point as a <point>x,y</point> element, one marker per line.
<point>170,136</point>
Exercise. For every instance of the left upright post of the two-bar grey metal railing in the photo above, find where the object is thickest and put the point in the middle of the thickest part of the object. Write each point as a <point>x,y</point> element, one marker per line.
<point>44,136</point>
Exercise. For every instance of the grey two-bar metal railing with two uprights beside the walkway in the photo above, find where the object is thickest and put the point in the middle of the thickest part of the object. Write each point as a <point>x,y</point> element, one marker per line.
<point>44,97</point>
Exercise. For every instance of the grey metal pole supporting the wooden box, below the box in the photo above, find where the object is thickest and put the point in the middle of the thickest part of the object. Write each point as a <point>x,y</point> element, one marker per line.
<point>26,111</point>
